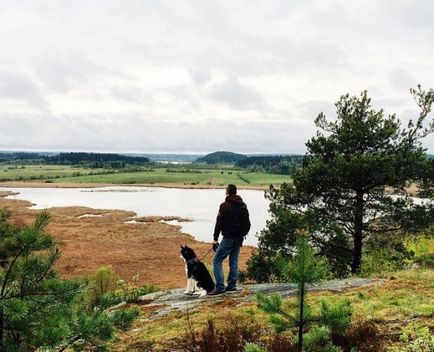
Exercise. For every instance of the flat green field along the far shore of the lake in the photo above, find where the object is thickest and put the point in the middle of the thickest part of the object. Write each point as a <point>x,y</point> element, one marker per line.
<point>182,176</point>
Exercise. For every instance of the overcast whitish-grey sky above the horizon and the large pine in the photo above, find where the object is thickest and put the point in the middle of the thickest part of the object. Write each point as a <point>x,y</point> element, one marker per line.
<point>199,76</point>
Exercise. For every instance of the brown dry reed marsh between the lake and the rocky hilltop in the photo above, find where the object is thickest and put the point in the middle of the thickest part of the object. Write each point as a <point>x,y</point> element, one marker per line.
<point>150,249</point>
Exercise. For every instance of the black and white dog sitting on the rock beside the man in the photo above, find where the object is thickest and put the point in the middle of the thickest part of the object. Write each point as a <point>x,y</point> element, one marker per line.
<point>199,280</point>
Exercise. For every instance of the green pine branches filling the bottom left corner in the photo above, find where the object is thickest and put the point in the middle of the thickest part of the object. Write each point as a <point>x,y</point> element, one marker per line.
<point>38,309</point>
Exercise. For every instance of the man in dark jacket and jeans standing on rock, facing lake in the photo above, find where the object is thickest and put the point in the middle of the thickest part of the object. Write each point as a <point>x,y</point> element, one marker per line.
<point>234,224</point>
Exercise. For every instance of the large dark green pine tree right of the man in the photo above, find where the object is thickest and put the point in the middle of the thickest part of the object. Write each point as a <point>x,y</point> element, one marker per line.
<point>339,192</point>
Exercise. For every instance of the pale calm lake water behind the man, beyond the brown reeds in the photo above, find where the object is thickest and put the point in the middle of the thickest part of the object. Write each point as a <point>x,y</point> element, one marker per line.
<point>199,205</point>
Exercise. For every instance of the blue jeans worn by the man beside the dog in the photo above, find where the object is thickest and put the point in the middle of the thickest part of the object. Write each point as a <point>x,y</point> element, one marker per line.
<point>228,247</point>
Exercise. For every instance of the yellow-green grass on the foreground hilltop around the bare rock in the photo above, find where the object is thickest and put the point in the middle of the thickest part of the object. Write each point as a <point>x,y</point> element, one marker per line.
<point>380,313</point>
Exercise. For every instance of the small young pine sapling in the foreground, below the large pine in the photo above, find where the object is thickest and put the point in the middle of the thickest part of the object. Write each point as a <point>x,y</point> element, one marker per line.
<point>306,269</point>
